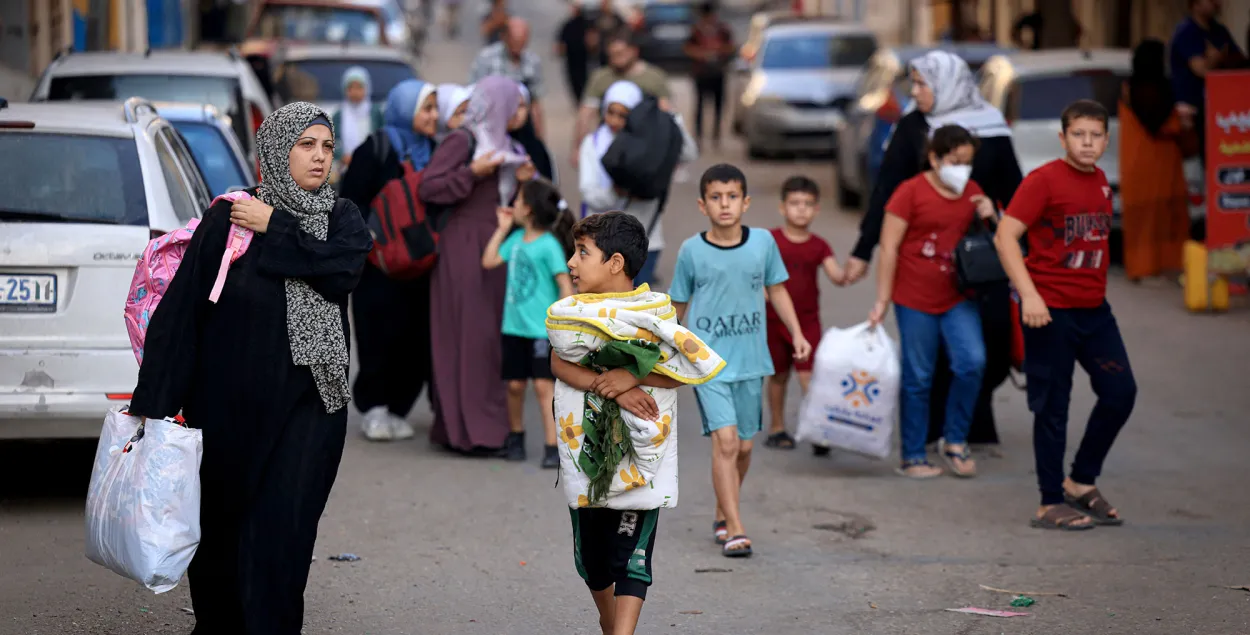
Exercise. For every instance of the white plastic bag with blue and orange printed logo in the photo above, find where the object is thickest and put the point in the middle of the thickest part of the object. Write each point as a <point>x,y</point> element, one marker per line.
<point>854,392</point>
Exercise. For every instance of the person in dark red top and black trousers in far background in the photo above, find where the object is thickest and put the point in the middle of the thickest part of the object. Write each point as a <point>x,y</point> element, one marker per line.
<point>711,48</point>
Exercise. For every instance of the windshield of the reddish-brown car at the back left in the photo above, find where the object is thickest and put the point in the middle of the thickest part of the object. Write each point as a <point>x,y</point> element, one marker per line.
<point>319,24</point>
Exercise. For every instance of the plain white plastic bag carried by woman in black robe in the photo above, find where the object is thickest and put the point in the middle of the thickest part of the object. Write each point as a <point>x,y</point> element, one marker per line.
<point>143,508</point>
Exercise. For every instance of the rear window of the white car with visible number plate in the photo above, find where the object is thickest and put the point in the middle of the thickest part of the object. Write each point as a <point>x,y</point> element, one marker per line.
<point>72,178</point>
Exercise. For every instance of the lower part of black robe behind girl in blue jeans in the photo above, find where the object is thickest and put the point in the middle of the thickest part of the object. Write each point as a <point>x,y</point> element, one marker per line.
<point>996,308</point>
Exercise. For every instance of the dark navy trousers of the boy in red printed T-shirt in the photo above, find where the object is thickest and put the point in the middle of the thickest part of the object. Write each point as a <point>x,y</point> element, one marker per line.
<point>1092,338</point>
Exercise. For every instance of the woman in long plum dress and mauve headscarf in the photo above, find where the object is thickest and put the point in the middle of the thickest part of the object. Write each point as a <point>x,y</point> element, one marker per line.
<point>473,173</point>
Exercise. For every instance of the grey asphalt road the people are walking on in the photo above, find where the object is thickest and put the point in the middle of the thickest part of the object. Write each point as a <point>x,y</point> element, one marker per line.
<point>843,547</point>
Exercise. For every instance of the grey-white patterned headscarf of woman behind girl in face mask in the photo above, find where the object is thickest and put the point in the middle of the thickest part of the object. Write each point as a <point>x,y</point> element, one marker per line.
<point>957,99</point>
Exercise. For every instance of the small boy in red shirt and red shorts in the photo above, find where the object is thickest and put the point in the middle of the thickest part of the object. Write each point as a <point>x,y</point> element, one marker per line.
<point>804,254</point>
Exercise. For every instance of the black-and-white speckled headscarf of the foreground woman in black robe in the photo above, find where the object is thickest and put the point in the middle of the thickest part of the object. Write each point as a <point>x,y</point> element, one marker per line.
<point>314,324</point>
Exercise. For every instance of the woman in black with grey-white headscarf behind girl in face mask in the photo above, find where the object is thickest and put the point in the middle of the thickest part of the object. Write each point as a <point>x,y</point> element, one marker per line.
<point>947,93</point>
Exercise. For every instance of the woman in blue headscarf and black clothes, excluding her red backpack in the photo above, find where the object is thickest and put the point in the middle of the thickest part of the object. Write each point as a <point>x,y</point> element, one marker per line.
<point>392,317</point>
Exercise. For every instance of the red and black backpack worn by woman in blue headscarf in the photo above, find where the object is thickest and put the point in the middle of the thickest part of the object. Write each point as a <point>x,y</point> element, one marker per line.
<point>406,231</point>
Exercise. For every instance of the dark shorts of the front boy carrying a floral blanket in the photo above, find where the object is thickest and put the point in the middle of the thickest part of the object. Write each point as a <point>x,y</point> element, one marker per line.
<point>614,547</point>
